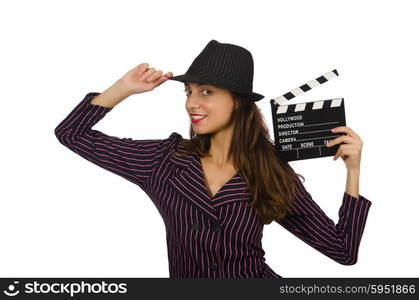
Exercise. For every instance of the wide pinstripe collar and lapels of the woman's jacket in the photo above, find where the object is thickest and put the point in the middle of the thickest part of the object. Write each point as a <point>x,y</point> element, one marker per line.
<point>188,180</point>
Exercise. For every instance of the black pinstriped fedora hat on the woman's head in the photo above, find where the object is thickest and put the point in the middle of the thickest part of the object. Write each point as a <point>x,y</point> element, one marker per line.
<point>224,65</point>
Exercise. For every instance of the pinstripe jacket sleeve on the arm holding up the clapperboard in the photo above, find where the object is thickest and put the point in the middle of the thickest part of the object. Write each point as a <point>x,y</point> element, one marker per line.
<point>340,242</point>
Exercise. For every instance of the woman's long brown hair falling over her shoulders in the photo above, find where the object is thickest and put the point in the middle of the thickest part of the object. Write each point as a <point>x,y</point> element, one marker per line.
<point>270,180</point>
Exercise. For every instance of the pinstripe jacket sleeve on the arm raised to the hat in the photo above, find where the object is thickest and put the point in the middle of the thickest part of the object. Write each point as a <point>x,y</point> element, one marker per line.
<point>131,159</point>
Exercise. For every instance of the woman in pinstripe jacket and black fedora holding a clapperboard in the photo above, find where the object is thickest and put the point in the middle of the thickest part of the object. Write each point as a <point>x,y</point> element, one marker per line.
<point>216,190</point>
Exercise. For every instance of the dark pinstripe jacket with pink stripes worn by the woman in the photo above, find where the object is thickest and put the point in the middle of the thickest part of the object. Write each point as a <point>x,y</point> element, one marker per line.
<point>220,236</point>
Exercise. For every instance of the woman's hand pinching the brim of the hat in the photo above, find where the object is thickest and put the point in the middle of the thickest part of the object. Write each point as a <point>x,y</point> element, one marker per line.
<point>143,79</point>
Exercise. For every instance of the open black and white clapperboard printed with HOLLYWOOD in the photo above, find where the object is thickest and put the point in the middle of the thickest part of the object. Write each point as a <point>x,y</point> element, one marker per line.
<point>302,130</point>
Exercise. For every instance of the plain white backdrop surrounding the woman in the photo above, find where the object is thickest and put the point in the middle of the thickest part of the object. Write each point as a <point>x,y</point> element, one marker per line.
<point>62,216</point>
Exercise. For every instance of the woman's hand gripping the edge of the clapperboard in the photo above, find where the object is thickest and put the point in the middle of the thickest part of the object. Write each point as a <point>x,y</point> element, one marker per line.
<point>350,150</point>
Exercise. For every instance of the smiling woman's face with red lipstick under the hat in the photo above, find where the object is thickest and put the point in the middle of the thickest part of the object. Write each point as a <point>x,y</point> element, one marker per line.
<point>214,103</point>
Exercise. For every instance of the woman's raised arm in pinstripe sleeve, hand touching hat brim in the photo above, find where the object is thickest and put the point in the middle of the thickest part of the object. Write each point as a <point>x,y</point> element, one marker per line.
<point>134,160</point>
